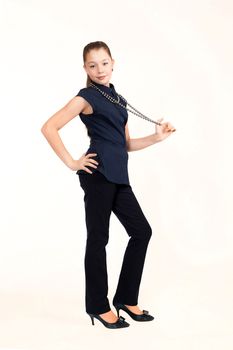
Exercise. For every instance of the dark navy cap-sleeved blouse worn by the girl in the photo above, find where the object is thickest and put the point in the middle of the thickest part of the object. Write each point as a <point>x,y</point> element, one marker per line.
<point>106,129</point>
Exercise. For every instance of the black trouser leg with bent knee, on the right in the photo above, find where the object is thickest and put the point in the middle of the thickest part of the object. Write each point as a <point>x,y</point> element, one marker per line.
<point>130,214</point>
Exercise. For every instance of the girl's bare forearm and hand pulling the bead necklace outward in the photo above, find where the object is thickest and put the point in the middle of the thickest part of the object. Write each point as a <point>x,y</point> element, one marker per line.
<point>136,144</point>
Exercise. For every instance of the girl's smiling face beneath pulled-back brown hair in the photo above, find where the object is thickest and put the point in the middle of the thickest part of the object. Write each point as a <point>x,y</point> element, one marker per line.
<point>99,66</point>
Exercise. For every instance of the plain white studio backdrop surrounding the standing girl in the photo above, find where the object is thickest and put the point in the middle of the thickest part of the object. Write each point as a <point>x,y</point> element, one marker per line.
<point>173,60</point>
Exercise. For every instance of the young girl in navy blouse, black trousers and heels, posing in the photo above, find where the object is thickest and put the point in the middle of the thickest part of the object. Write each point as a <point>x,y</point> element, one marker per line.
<point>103,176</point>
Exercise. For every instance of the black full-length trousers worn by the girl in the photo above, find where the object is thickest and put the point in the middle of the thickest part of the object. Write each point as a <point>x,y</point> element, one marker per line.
<point>101,197</point>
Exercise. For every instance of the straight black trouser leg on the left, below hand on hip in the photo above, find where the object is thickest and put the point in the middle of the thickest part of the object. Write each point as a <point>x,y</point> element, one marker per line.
<point>98,199</point>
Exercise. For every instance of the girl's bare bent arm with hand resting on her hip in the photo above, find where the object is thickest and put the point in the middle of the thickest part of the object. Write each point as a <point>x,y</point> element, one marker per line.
<point>50,131</point>
